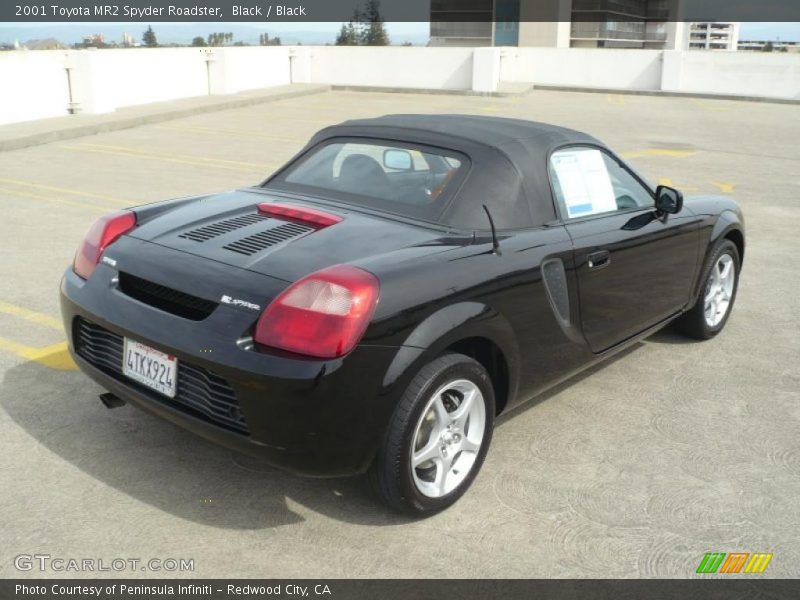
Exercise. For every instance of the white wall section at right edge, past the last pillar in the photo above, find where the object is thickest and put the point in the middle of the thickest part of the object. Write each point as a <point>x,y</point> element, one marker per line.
<point>742,73</point>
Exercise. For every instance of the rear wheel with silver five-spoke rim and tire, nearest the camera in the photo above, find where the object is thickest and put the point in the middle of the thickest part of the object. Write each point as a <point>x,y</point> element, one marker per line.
<point>418,426</point>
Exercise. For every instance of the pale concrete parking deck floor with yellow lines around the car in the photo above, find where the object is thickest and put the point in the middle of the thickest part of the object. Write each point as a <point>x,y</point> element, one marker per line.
<point>638,469</point>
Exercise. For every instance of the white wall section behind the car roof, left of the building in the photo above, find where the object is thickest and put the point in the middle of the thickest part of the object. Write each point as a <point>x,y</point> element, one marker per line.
<point>435,68</point>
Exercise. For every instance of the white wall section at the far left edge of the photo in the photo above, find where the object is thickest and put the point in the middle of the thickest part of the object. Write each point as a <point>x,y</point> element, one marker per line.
<point>33,85</point>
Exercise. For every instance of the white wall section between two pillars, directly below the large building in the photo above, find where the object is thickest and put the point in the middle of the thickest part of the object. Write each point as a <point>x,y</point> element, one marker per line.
<point>582,67</point>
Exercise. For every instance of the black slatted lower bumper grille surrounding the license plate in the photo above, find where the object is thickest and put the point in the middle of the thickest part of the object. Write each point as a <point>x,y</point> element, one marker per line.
<point>199,392</point>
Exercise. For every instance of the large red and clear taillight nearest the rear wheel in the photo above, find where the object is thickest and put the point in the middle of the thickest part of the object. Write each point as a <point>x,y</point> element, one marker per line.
<point>323,315</point>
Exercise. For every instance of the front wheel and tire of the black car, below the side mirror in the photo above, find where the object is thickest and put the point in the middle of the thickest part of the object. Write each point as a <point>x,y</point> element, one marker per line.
<point>697,323</point>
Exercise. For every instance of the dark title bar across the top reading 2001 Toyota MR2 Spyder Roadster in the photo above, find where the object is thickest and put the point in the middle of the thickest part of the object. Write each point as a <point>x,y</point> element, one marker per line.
<point>300,11</point>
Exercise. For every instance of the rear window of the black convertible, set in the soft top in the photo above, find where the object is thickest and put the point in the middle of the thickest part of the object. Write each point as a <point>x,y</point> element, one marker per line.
<point>410,180</point>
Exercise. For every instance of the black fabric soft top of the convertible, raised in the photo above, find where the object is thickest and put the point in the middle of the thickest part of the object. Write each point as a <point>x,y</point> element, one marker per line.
<point>508,171</point>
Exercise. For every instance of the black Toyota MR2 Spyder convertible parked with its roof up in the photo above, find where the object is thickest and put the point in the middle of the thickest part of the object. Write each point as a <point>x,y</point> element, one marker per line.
<point>377,302</point>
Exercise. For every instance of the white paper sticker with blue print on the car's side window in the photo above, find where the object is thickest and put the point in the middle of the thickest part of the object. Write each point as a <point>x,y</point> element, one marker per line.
<point>585,182</point>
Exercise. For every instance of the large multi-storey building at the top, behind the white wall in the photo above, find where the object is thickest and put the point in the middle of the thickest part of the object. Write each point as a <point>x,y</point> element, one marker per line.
<point>654,24</point>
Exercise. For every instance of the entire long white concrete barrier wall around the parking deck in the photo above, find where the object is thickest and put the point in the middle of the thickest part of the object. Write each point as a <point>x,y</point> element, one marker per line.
<point>33,85</point>
